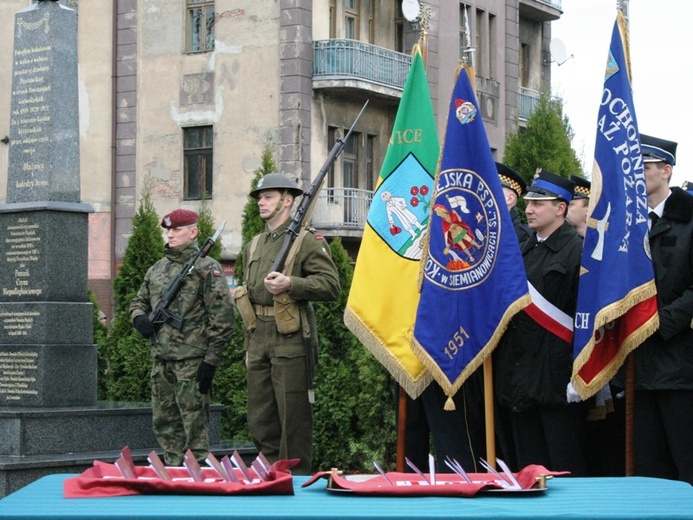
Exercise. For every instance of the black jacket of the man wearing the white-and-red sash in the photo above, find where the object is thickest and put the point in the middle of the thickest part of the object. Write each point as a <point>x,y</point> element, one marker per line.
<point>533,366</point>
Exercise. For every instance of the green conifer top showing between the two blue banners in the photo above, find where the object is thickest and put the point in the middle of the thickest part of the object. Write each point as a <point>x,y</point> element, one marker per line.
<point>544,143</point>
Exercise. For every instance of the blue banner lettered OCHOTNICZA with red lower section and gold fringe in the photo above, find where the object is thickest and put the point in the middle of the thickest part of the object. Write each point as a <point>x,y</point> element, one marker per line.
<point>617,307</point>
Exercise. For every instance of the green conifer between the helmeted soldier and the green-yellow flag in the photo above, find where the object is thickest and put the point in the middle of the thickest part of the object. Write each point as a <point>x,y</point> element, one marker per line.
<point>354,407</point>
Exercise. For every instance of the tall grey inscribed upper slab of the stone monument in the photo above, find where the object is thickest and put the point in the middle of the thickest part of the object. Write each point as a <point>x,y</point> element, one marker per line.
<point>44,122</point>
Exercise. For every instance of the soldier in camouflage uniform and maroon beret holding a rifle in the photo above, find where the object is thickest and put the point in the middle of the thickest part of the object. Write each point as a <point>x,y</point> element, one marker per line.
<point>184,360</point>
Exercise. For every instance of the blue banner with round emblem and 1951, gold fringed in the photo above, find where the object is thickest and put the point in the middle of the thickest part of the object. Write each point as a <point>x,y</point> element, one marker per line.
<point>474,279</point>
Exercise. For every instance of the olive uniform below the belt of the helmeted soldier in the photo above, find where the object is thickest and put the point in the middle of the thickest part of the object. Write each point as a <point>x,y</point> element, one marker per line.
<point>280,418</point>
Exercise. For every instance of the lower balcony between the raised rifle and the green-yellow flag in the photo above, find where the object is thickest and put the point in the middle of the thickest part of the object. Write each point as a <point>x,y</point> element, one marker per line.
<point>342,209</point>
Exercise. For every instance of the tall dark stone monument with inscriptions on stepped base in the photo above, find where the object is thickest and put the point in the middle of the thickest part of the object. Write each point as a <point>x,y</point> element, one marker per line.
<point>50,420</point>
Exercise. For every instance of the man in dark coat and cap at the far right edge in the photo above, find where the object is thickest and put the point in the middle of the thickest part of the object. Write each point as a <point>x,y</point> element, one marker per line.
<point>664,362</point>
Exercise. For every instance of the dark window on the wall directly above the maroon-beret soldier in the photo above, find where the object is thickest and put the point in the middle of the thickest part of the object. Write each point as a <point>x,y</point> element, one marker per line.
<point>197,156</point>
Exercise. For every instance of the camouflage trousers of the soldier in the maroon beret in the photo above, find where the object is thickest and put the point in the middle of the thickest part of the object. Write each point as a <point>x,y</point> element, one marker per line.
<point>180,411</point>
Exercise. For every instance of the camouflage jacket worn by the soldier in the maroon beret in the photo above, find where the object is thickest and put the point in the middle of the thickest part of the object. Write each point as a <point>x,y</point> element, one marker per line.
<point>204,303</point>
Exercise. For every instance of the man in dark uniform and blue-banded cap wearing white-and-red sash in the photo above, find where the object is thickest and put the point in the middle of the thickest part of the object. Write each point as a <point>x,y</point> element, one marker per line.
<point>533,366</point>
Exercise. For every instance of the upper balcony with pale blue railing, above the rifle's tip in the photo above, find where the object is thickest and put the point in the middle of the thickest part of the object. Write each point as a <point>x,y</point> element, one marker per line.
<point>352,64</point>
